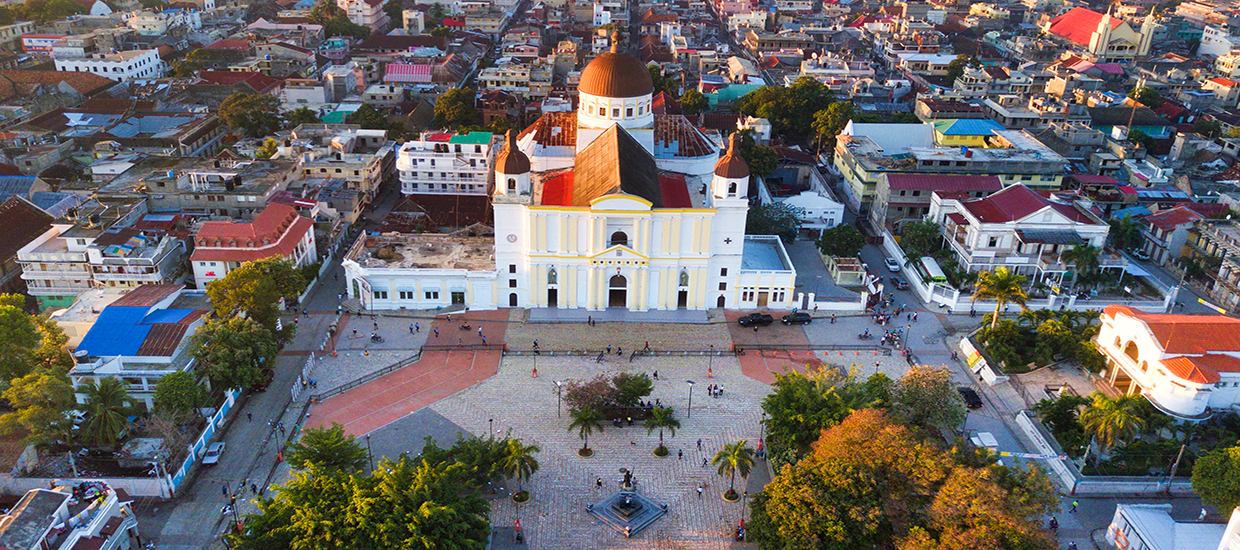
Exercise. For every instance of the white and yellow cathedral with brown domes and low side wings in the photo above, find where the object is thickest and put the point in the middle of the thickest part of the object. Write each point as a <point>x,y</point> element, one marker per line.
<point>608,207</point>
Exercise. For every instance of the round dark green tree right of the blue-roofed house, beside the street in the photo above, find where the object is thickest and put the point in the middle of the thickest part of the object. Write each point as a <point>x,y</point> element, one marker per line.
<point>234,352</point>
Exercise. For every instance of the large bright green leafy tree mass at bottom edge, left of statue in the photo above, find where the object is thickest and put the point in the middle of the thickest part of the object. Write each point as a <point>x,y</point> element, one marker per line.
<point>414,505</point>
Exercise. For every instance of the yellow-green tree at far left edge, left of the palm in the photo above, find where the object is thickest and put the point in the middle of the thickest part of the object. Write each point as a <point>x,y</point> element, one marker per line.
<point>40,401</point>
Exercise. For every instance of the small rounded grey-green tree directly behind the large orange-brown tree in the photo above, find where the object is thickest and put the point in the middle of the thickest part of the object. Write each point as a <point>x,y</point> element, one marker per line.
<point>927,397</point>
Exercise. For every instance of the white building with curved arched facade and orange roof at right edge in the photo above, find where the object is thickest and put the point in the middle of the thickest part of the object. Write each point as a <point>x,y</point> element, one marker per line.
<point>1187,366</point>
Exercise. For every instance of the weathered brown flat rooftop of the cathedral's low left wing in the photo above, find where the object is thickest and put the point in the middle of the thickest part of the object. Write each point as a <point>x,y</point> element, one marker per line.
<point>427,252</point>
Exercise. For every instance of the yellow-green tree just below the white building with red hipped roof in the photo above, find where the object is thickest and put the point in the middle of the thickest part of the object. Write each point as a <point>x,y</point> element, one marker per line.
<point>256,289</point>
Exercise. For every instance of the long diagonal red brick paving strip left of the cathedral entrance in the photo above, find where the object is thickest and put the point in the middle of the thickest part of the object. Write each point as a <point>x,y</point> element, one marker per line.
<point>437,376</point>
